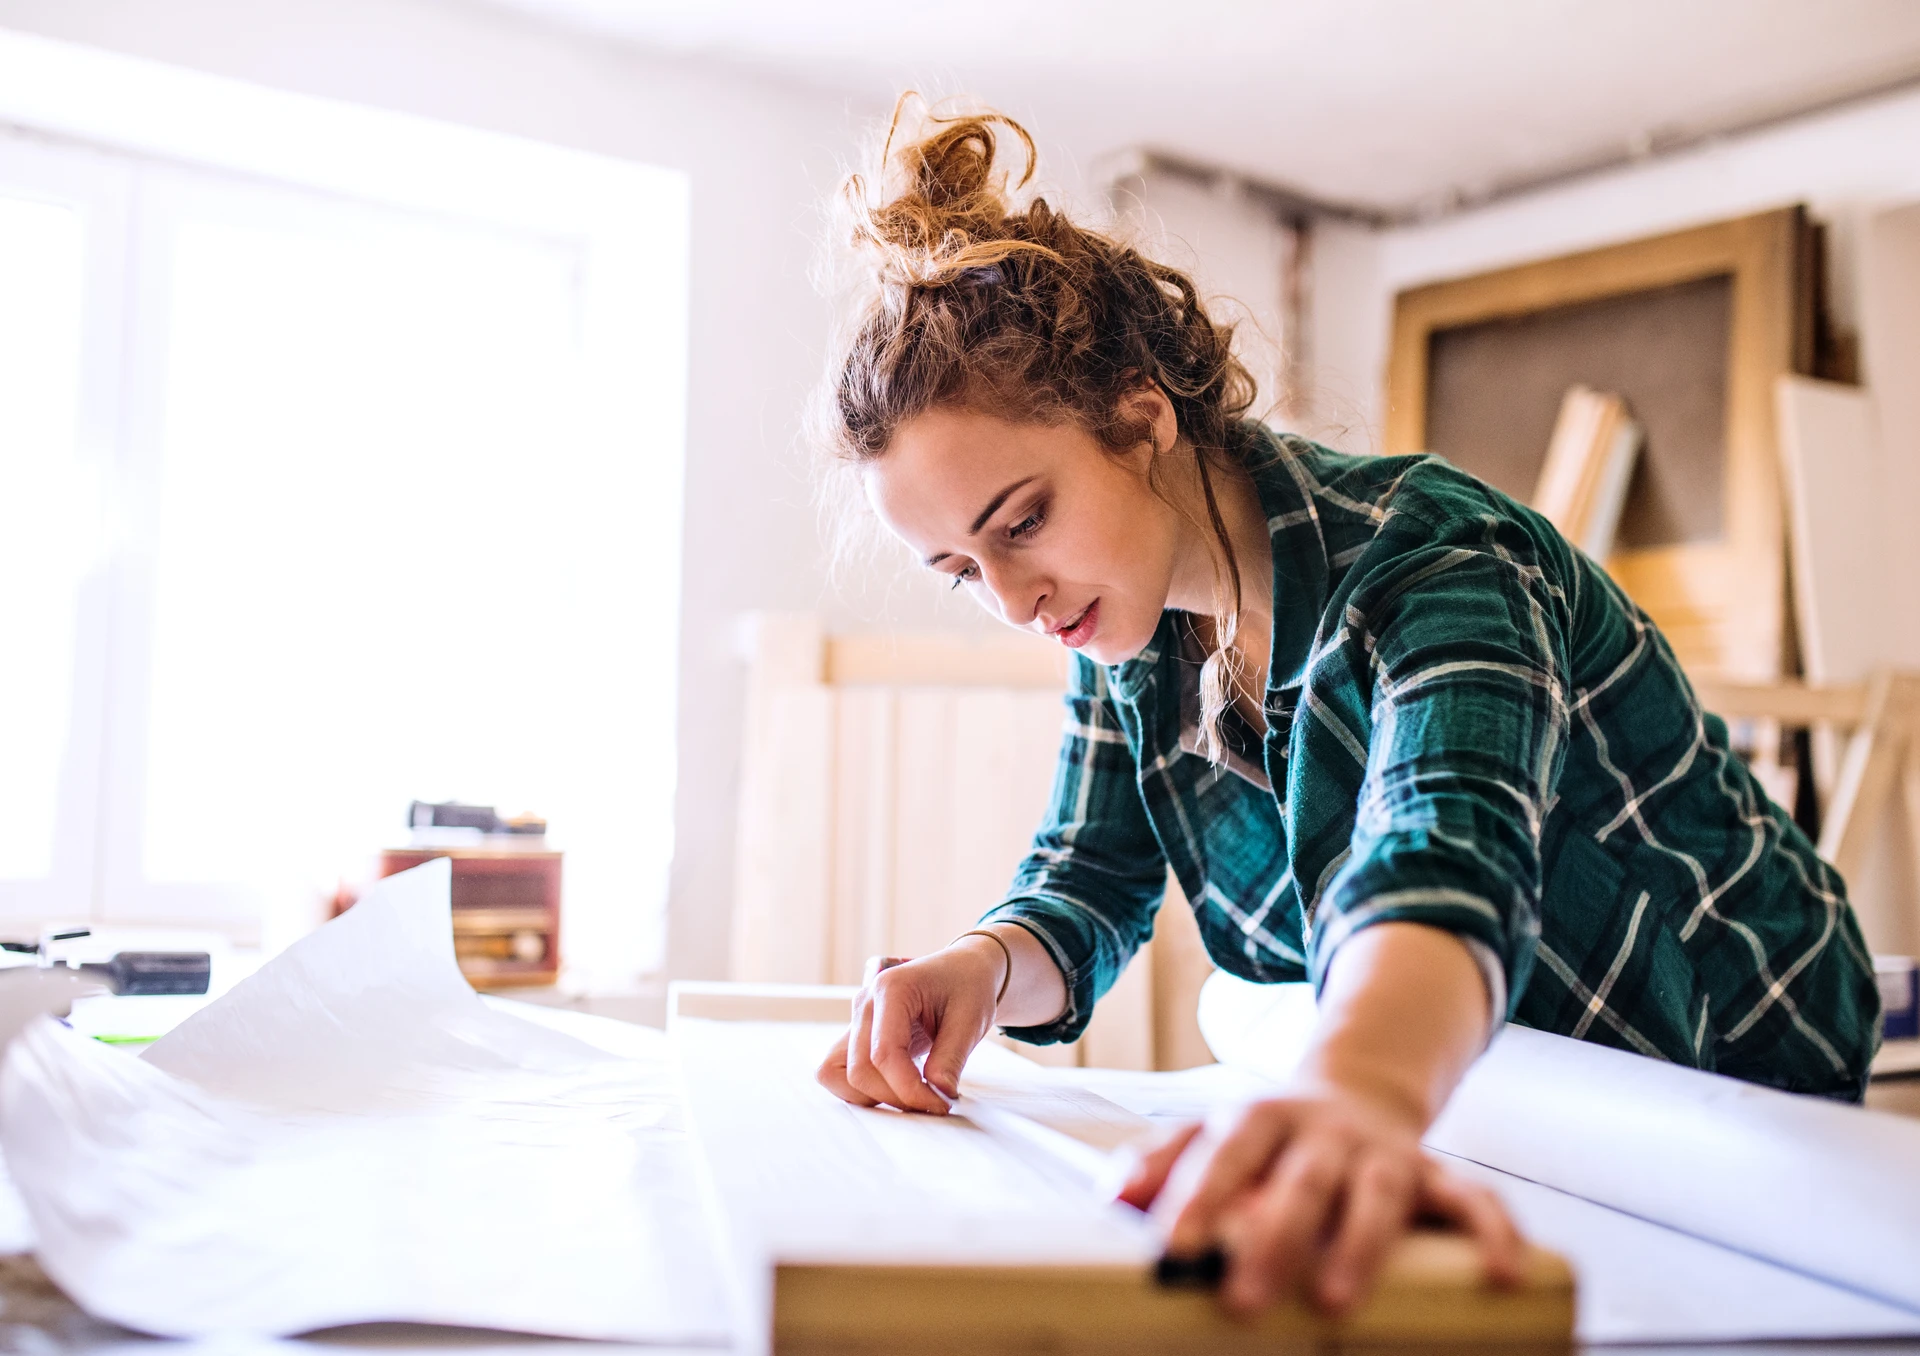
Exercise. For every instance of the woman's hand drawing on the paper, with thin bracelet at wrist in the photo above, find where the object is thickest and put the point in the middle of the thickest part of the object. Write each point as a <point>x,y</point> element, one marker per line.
<point>938,1007</point>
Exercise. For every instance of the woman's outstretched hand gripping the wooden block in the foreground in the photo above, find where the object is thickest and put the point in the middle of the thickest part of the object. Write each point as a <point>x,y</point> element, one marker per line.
<point>1308,1194</point>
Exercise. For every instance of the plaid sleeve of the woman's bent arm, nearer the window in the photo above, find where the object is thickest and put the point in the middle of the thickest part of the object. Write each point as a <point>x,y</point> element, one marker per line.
<point>1095,879</point>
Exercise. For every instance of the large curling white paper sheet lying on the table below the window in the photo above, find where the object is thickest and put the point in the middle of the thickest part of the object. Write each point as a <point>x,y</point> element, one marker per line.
<point>354,1136</point>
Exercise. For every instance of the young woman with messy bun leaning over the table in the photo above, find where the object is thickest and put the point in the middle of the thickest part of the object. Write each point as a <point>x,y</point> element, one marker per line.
<point>1387,727</point>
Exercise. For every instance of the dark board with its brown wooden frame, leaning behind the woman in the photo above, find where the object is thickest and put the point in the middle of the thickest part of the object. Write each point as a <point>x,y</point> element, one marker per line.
<point>1692,329</point>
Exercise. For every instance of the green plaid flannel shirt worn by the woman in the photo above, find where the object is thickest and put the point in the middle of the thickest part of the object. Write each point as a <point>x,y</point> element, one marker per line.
<point>1474,729</point>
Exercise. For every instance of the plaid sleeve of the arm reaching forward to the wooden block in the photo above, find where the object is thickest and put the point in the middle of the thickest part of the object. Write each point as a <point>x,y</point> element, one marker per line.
<point>1462,656</point>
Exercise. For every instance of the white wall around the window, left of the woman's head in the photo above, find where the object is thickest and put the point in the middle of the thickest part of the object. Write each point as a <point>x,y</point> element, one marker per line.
<point>759,158</point>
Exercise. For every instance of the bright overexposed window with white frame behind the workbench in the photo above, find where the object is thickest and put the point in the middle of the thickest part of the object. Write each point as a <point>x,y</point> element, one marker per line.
<point>322,498</point>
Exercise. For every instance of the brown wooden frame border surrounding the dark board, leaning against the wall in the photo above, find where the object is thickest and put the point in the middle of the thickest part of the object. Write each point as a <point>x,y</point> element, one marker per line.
<point>1721,604</point>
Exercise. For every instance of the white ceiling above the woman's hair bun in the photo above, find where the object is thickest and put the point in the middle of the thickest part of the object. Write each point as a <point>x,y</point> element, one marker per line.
<point>1393,105</point>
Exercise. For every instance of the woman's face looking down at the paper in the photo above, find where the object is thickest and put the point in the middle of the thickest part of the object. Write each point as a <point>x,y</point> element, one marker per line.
<point>1040,523</point>
